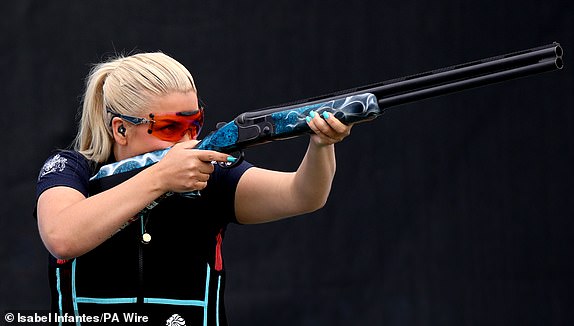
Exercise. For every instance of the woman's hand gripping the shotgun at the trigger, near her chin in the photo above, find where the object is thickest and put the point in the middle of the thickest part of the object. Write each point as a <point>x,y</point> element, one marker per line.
<point>184,169</point>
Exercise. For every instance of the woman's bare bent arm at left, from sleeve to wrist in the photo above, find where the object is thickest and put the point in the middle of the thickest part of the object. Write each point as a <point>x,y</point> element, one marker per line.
<point>78,224</point>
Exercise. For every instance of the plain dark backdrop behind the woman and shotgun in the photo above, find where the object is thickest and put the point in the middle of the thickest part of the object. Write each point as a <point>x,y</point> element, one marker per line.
<point>451,211</point>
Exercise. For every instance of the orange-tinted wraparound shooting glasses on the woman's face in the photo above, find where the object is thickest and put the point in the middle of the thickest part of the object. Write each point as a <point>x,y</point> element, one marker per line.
<point>170,126</point>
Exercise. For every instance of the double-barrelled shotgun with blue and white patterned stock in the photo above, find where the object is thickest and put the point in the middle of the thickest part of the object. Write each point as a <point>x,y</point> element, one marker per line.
<point>354,105</point>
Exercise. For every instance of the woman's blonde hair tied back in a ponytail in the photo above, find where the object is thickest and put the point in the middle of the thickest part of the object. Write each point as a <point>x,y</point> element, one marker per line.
<point>124,85</point>
